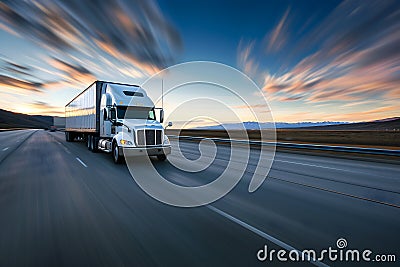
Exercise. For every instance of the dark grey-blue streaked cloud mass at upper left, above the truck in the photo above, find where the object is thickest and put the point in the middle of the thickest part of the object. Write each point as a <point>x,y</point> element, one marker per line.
<point>135,30</point>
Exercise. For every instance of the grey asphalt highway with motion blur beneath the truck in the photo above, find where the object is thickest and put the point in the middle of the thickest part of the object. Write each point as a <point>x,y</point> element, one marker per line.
<point>62,205</point>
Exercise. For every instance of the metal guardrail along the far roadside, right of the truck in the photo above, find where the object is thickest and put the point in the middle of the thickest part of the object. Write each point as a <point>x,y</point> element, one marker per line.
<point>347,149</point>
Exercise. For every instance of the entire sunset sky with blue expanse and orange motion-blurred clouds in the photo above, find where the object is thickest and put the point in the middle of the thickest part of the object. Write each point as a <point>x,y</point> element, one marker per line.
<point>313,60</point>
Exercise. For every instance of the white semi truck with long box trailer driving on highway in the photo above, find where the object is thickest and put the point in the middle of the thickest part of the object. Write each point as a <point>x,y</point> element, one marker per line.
<point>119,119</point>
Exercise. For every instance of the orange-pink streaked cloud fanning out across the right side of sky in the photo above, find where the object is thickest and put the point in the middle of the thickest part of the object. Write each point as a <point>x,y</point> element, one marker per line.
<point>351,56</point>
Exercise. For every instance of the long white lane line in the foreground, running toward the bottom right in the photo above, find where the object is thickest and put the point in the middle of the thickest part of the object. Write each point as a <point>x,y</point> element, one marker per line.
<point>264,235</point>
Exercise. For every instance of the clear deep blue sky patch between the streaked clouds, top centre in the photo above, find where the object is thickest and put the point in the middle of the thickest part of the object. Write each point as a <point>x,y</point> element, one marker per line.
<point>213,29</point>
